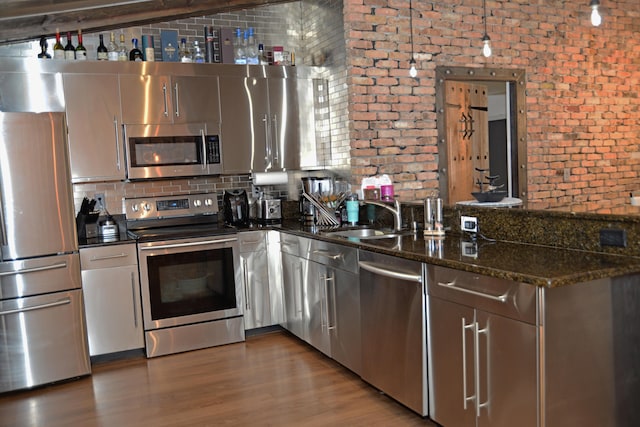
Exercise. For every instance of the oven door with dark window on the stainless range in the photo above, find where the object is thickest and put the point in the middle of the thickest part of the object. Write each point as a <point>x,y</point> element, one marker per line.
<point>189,281</point>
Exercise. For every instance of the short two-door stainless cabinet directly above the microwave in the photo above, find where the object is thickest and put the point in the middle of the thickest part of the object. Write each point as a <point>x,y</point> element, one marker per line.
<point>166,99</point>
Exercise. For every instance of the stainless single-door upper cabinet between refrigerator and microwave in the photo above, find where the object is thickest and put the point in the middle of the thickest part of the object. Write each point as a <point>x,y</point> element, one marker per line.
<point>94,127</point>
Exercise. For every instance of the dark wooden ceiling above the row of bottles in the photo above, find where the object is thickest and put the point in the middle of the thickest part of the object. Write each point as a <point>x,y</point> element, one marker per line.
<point>29,19</point>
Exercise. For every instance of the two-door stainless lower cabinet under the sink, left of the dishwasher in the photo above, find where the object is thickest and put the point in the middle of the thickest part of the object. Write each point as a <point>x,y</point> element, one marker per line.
<point>322,297</point>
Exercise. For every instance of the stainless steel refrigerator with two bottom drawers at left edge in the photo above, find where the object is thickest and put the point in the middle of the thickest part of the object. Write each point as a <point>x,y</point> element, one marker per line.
<point>42,327</point>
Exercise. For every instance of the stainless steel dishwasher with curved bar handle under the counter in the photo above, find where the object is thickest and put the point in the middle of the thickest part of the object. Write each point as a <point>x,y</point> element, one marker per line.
<point>392,296</point>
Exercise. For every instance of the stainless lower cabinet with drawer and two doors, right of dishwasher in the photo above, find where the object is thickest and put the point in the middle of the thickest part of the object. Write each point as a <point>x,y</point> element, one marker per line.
<point>483,350</point>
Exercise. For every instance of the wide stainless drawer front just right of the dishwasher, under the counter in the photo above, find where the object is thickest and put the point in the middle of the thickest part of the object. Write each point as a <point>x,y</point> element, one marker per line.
<point>500,296</point>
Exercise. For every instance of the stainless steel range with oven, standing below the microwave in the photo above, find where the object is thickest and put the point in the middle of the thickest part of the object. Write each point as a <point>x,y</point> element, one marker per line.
<point>190,296</point>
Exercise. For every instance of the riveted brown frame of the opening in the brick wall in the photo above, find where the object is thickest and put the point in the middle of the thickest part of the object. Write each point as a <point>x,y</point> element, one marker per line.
<point>466,74</point>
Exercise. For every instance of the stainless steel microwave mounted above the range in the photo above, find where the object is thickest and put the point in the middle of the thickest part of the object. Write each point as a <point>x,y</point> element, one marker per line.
<point>172,151</point>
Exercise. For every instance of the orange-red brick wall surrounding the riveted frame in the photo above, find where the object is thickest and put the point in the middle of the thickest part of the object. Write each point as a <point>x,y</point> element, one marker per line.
<point>582,91</point>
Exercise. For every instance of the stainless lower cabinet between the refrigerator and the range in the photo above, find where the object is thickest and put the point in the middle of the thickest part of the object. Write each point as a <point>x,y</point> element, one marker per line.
<point>112,298</point>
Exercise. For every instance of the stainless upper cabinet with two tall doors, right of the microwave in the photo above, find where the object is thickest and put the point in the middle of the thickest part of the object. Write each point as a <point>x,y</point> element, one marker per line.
<point>260,124</point>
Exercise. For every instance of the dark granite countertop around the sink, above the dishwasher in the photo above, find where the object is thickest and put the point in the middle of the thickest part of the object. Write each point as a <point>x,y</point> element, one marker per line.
<point>533,264</point>
